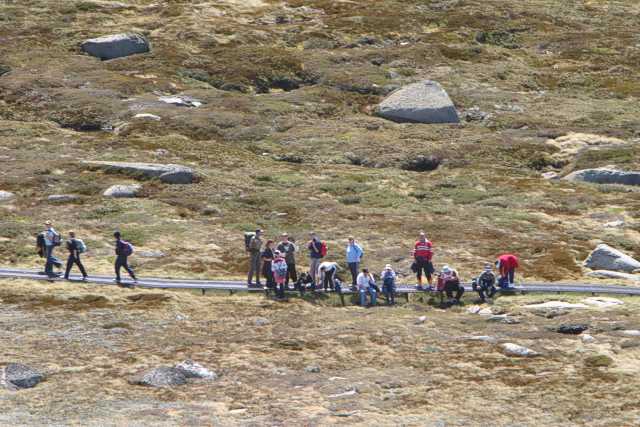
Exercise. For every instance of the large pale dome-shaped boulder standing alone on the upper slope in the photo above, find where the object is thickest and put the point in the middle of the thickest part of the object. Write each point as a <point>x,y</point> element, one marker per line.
<point>422,102</point>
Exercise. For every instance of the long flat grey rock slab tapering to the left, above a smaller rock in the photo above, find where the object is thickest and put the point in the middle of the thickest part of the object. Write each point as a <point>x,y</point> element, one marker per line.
<point>170,174</point>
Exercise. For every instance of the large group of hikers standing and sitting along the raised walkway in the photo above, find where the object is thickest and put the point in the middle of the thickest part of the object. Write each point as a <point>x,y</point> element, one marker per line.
<point>277,264</point>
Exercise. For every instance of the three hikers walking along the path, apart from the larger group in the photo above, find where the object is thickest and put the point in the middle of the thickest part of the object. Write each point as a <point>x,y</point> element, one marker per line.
<point>49,239</point>
